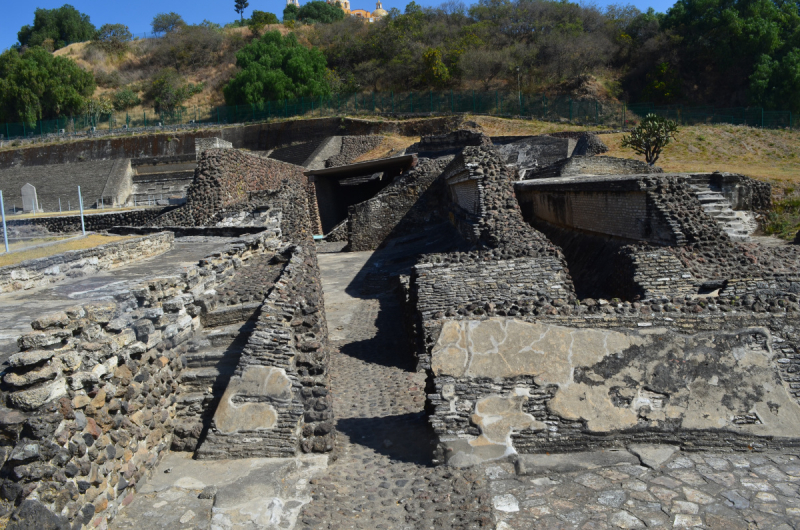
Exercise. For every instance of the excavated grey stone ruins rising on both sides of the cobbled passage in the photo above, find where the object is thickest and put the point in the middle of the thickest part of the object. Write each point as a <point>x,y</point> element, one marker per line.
<point>582,302</point>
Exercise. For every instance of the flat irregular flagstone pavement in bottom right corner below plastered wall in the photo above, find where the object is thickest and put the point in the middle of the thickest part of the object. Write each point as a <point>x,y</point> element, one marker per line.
<point>704,490</point>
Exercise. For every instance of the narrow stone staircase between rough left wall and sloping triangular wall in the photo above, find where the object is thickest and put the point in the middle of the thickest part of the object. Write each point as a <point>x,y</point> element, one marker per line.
<point>208,367</point>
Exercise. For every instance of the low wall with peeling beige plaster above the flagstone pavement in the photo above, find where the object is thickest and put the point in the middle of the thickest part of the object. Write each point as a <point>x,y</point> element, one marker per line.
<point>557,387</point>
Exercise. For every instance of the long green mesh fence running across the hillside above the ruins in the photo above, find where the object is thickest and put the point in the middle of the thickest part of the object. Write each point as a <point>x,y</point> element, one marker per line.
<point>495,103</point>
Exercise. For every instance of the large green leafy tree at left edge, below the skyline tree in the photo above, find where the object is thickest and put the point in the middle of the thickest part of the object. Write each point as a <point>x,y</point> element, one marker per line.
<point>36,85</point>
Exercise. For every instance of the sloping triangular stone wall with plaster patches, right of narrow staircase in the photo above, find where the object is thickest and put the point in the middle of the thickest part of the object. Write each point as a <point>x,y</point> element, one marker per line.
<point>278,401</point>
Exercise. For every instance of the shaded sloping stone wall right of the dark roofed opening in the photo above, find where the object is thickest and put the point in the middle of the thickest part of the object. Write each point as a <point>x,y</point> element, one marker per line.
<point>404,206</point>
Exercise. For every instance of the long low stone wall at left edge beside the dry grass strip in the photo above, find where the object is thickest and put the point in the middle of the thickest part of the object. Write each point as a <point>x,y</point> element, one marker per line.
<point>44,271</point>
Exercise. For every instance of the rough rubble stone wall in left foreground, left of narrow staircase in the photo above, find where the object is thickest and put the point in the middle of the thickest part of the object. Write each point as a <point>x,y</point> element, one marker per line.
<point>91,395</point>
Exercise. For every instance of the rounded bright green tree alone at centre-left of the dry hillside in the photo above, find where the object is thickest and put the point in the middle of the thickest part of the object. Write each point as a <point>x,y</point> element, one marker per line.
<point>276,67</point>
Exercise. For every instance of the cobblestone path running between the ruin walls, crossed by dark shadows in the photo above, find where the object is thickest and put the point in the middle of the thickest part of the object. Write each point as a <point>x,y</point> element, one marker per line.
<point>380,475</point>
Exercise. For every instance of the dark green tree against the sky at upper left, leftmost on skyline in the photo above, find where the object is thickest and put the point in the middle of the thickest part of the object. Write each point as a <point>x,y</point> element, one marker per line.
<point>64,25</point>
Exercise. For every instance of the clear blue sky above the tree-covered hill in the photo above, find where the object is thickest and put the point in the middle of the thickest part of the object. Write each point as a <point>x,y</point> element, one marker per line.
<point>137,15</point>
